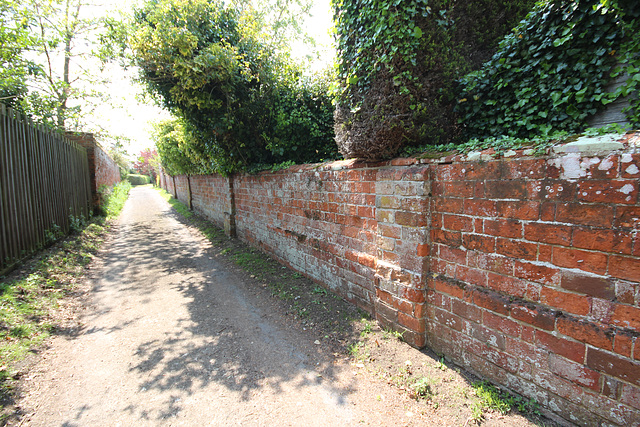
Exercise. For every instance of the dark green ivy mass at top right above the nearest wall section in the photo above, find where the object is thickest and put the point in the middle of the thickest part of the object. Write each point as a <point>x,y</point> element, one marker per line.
<point>550,73</point>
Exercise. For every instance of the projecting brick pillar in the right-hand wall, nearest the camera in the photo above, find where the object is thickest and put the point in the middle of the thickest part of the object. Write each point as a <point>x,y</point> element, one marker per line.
<point>402,212</point>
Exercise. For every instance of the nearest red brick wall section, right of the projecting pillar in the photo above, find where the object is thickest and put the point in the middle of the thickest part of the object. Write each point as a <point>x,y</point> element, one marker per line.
<point>535,275</point>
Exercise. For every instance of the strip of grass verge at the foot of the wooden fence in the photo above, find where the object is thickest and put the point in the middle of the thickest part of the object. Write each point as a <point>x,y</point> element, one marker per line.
<point>30,297</point>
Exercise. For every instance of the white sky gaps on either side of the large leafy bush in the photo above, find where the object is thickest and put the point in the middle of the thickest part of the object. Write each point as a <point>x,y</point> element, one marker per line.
<point>125,115</point>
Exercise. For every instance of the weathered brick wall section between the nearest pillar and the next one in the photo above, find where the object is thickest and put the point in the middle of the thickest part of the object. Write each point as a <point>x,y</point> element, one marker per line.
<point>319,221</point>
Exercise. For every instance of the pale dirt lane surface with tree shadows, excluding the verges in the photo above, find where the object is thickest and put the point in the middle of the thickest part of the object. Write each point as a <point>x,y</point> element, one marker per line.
<point>170,337</point>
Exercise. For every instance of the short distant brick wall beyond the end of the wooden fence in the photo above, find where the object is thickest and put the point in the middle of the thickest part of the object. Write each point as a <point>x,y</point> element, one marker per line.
<point>103,170</point>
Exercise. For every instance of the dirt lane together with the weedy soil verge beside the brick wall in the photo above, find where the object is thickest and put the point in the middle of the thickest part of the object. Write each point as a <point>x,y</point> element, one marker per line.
<point>174,326</point>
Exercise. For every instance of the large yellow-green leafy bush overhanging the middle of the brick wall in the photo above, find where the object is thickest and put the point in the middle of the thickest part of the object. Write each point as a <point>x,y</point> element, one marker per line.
<point>240,101</point>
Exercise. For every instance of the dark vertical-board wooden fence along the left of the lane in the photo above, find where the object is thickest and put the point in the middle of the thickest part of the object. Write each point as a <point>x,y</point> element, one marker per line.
<point>44,182</point>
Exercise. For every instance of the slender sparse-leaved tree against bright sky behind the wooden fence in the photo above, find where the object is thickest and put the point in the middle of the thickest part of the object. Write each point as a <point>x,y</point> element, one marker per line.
<point>51,57</point>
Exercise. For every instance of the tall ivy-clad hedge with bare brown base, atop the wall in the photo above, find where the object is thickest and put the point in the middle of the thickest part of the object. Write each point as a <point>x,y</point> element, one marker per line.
<point>398,61</point>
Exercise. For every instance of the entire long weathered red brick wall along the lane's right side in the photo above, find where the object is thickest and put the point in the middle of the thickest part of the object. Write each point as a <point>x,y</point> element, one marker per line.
<point>522,269</point>
